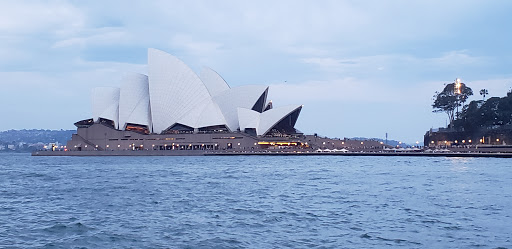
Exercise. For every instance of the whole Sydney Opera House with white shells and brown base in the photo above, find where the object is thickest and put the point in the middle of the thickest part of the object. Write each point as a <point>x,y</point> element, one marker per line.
<point>173,108</point>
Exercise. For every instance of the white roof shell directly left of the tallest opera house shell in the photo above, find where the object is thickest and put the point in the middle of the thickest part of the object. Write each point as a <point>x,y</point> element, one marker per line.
<point>134,101</point>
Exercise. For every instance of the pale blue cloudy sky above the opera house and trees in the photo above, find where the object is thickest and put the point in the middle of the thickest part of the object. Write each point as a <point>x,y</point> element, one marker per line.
<point>361,68</point>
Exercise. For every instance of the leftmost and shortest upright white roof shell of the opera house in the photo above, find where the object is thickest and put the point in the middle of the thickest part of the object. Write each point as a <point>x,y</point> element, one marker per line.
<point>105,104</point>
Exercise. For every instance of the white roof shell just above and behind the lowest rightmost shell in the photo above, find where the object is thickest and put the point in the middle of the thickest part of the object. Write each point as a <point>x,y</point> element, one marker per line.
<point>239,97</point>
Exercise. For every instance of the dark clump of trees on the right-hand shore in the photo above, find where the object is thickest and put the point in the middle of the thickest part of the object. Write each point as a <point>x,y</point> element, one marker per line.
<point>478,123</point>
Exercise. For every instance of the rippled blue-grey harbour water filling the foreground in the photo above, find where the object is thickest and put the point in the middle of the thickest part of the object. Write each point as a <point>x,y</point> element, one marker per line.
<point>255,202</point>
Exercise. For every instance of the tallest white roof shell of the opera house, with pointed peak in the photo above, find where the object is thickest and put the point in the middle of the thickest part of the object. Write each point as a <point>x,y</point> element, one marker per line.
<point>175,90</point>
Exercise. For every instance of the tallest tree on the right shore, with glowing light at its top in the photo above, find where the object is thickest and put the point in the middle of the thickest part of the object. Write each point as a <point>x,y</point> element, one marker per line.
<point>453,95</point>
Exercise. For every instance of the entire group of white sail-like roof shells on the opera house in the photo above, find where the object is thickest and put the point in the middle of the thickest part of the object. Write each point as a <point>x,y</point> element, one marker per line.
<point>172,94</point>
